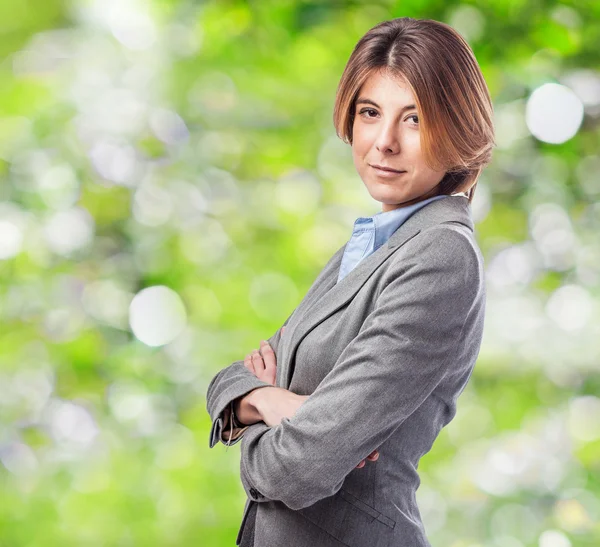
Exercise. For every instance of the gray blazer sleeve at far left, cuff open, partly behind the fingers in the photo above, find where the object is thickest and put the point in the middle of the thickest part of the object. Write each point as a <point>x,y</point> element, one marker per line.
<point>230,383</point>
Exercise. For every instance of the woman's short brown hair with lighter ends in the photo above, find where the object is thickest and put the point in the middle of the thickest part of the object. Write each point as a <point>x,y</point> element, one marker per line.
<point>452,98</point>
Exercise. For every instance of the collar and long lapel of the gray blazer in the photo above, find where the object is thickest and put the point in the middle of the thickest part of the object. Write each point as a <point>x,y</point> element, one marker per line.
<point>326,296</point>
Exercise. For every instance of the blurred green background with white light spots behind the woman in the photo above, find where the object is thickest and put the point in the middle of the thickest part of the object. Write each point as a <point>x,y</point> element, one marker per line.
<point>171,184</point>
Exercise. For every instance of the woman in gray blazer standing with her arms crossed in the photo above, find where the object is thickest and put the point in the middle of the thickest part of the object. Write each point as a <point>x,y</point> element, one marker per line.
<point>375,356</point>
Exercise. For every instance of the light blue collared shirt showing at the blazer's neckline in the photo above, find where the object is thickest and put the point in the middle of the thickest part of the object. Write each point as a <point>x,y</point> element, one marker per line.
<point>370,233</point>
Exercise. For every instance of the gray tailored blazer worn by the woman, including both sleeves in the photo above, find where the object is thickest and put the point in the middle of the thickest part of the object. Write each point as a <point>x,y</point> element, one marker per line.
<point>384,355</point>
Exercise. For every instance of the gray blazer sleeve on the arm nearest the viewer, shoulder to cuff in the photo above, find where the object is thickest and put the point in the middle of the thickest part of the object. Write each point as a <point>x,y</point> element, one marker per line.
<point>405,347</point>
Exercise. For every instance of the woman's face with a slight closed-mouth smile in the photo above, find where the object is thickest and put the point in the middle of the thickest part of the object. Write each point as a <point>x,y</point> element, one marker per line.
<point>386,133</point>
